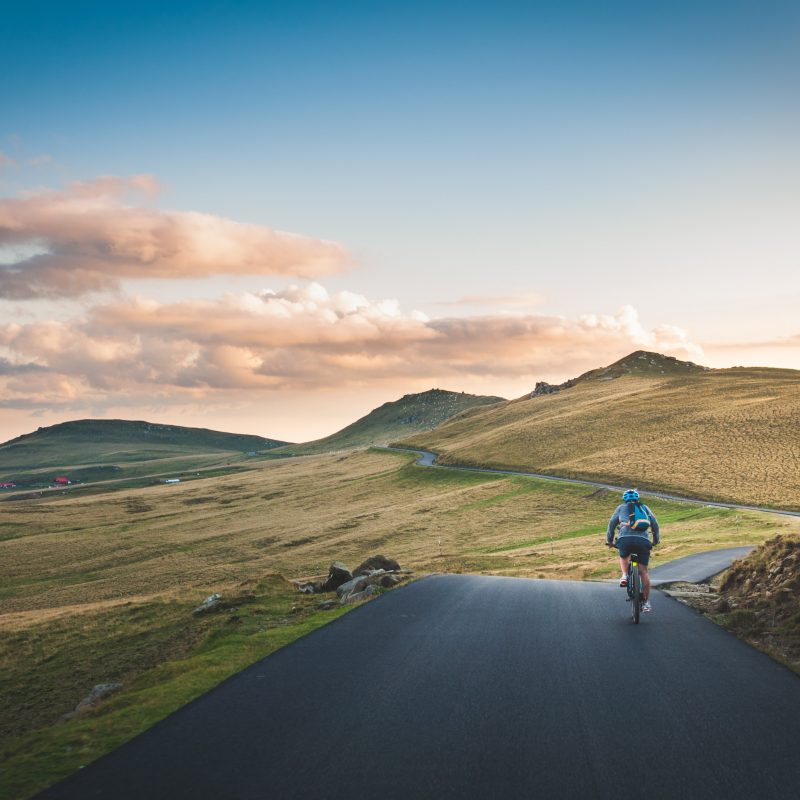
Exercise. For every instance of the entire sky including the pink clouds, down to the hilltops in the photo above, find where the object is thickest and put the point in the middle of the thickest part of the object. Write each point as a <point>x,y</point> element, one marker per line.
<point>272,217</point>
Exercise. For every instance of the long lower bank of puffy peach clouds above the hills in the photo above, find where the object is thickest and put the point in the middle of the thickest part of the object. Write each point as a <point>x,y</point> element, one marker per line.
<point>304,339</point>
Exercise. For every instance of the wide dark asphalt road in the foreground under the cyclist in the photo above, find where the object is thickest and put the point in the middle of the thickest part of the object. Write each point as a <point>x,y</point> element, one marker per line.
<point>481,687</point>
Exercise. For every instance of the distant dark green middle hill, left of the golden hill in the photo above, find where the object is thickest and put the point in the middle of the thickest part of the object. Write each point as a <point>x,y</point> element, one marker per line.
<point>395,420</point>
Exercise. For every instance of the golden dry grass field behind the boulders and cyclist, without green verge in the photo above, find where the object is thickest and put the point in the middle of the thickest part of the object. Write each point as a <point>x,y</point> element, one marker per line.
<point>294,517</point>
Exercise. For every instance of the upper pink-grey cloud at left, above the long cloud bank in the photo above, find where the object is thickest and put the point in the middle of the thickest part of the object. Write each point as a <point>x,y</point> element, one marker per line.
<point>92,238</point>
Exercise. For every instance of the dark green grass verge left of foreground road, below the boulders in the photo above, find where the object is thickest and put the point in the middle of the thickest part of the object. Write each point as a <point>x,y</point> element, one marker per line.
<point>164,656</point>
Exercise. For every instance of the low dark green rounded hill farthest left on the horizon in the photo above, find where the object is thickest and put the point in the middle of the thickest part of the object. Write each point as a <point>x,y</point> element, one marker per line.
<point>101,450</point>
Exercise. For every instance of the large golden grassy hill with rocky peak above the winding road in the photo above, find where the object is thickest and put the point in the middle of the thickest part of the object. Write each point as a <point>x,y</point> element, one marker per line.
<point>651,422</point>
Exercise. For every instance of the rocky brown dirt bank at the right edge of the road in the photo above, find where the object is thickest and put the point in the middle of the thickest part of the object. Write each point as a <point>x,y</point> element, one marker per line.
<point>758,599</point>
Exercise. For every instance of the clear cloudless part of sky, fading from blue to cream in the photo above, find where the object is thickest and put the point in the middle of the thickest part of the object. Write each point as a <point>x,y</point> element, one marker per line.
<point>591,155</point>
